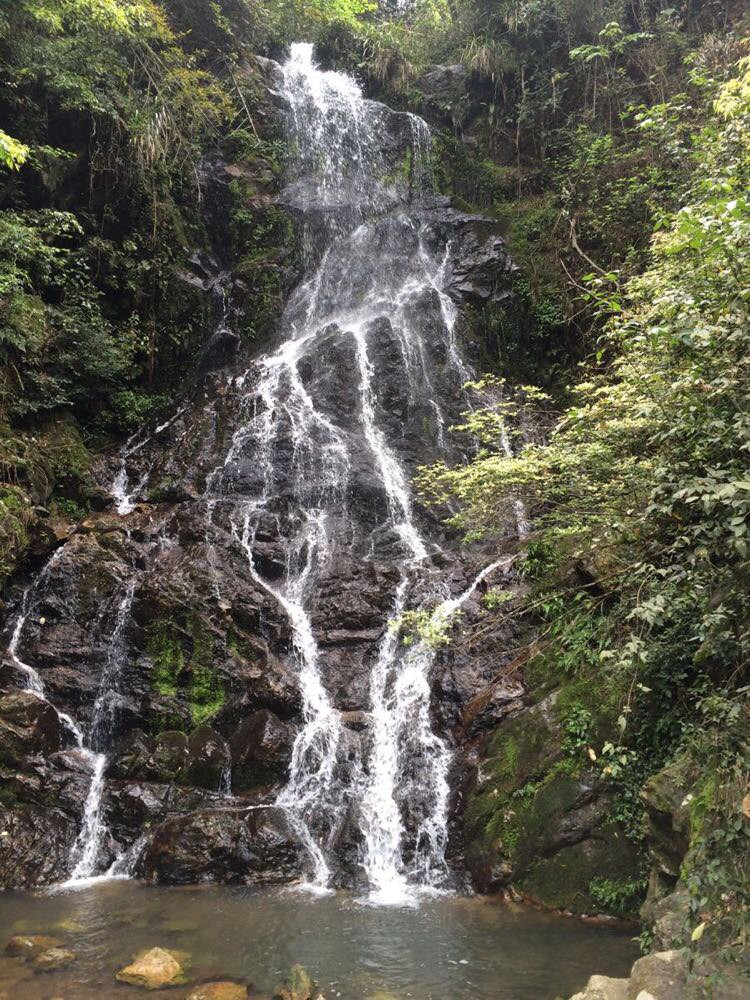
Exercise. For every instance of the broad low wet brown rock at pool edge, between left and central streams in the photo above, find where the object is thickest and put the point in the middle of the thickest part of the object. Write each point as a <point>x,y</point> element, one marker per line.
<point>247,846</point>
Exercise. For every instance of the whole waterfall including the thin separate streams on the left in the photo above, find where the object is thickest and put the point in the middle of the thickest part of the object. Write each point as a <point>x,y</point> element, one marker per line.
<point>328,426</point>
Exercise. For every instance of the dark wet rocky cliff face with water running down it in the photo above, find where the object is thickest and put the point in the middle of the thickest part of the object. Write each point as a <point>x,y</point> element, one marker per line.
<point>163,631</point>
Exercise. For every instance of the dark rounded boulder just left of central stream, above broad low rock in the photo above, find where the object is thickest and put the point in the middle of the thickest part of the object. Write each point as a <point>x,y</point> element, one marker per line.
<point>261,747</point>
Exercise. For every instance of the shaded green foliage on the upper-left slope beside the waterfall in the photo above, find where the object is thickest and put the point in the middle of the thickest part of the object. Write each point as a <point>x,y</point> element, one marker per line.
<point>83,279</point>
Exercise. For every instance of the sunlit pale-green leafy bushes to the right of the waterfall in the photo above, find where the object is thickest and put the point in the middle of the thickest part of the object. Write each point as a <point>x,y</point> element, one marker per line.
<point>641,503</point>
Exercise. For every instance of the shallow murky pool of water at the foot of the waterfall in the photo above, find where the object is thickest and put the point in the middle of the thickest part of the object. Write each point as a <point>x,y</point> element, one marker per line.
<point>449,948</point>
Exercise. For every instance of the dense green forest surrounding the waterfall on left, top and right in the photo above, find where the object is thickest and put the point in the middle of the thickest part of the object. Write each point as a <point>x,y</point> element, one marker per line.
<point>611,140</point>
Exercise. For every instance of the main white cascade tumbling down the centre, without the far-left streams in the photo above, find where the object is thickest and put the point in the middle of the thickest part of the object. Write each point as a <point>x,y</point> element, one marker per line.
<point>369,269</point>
